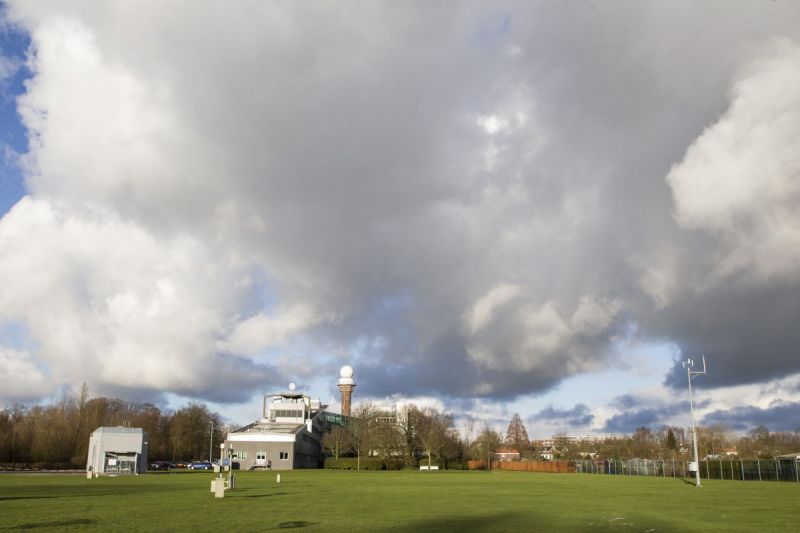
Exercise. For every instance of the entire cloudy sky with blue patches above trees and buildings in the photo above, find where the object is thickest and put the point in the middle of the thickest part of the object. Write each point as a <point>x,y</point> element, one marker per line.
<point>489,207</point>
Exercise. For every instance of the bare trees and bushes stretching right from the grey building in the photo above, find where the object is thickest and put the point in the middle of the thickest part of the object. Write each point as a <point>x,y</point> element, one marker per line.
<point>428,436</point>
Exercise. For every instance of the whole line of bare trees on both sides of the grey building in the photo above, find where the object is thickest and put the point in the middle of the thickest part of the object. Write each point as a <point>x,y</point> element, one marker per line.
<point>57,435</point>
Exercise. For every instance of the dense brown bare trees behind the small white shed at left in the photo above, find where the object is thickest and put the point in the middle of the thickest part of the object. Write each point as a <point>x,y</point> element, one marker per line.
<point>57,435</point>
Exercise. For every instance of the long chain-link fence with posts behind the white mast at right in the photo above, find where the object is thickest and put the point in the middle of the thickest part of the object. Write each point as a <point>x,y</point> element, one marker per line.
<point>729,469</point>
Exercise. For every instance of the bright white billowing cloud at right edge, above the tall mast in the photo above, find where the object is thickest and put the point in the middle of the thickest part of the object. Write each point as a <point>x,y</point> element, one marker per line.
<point>740,180</point>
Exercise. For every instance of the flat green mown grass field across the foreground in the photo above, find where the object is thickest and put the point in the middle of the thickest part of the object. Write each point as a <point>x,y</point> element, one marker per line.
<point>319,500</point>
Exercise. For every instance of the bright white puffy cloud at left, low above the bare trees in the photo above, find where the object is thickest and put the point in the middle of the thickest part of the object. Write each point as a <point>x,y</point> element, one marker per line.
<point>109,303</point>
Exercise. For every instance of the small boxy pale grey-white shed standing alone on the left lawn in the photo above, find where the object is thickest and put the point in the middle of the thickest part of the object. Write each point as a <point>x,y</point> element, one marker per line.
<point>117,450</point>
